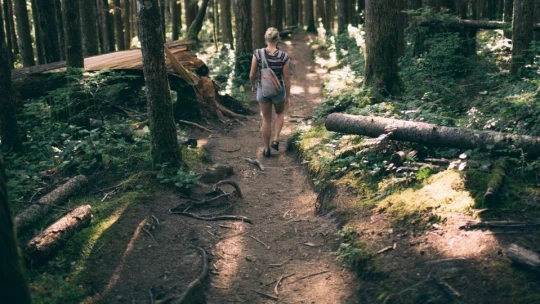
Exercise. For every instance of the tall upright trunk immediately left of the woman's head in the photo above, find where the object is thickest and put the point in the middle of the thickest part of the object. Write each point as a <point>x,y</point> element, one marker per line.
<point>243,51</point>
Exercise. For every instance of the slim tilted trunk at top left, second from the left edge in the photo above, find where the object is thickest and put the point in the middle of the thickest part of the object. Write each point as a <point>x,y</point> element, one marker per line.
<point>23,31</point>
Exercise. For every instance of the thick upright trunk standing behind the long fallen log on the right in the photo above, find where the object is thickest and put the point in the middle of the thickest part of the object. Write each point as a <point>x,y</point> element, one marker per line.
<point>381,72</point>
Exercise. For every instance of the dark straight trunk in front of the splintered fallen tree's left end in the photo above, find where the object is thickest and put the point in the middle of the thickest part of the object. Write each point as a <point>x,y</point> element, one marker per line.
<point>74,50</point>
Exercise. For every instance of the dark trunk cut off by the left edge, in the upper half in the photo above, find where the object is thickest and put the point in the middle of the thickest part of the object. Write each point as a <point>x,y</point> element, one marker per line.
<point>9,130</point>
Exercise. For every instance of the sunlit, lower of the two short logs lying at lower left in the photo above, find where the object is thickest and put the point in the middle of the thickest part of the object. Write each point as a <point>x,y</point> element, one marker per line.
<point>48,241</point>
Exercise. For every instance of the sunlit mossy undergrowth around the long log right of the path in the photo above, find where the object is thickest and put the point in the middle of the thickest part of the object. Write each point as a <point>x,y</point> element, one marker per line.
<point>405,228</point>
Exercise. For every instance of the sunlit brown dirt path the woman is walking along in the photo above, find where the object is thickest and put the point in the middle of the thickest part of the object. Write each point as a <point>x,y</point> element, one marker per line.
<point>298,245</point>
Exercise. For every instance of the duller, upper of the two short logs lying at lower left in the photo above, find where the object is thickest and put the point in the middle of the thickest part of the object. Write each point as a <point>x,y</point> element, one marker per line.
<point>55,197</point>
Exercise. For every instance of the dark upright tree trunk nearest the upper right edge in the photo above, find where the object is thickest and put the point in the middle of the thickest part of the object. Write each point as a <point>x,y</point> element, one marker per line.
<point>522,33</point>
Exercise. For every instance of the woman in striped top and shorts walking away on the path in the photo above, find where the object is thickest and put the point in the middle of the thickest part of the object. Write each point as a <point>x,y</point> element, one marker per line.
<point>278,61</point>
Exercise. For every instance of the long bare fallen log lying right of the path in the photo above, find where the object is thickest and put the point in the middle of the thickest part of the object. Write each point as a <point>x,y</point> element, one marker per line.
<point>432,134</point>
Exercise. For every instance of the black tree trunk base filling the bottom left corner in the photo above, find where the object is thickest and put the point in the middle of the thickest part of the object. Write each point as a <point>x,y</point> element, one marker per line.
<point>14,287</point>
